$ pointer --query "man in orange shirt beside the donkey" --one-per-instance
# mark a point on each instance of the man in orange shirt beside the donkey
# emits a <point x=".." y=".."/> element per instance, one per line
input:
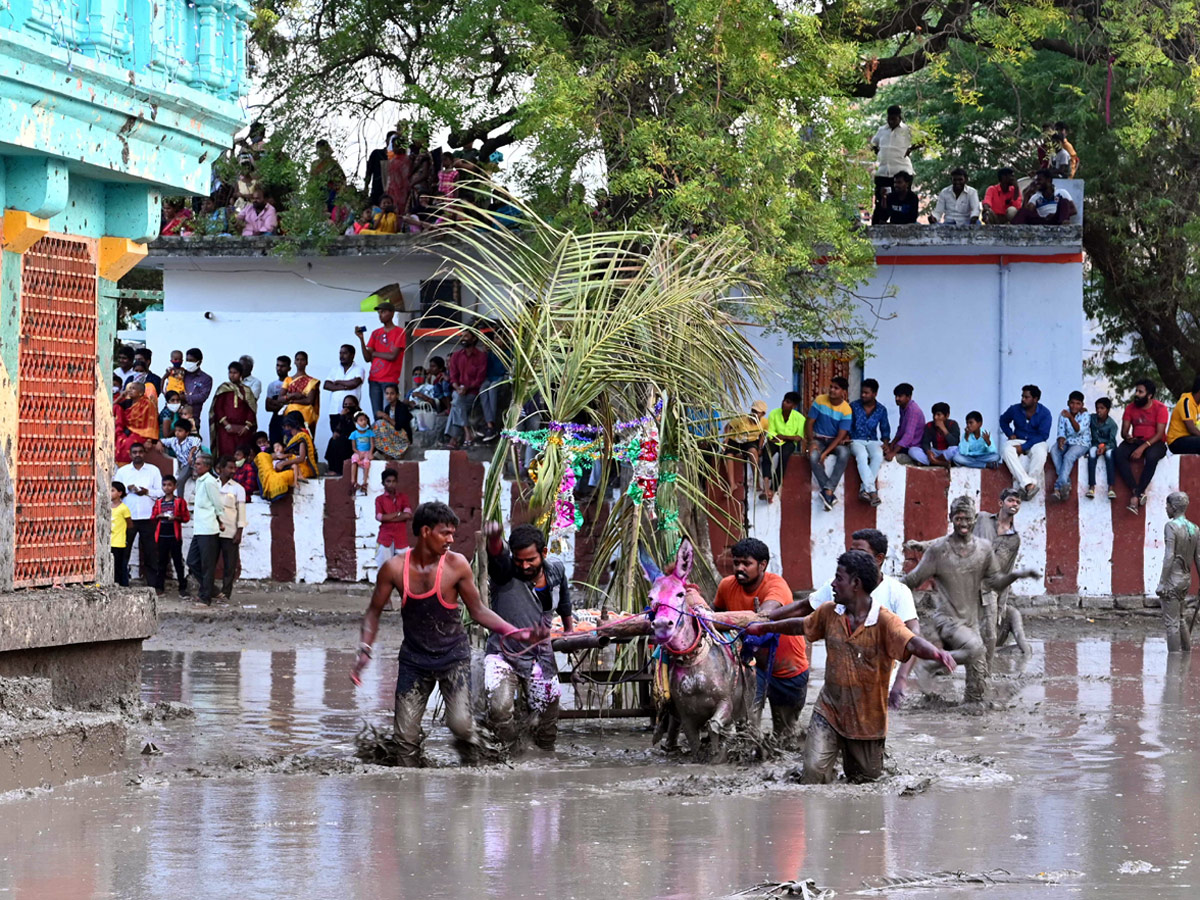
<point x="783" y="669"/>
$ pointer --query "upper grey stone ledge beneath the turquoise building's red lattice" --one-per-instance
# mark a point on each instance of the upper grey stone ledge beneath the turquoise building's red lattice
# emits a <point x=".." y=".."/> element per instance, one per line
<point x="45" y="619"/>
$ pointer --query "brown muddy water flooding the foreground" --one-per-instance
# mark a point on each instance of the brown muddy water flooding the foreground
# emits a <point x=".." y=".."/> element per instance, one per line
<point x="1089" y="765"/>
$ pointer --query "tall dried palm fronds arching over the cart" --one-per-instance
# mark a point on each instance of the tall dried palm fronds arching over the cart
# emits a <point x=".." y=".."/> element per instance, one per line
<point x="601" y="327"/>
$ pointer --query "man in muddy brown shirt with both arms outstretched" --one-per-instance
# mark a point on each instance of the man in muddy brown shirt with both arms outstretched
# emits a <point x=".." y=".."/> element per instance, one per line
<point x="862" y="641"/>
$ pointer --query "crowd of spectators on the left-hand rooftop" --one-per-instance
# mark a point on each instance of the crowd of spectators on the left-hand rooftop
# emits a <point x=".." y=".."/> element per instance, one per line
<point x="409" y="188"/>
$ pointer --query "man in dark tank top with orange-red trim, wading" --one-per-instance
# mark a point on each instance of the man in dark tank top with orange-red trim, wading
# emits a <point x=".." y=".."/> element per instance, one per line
<point x="431" y="580"/>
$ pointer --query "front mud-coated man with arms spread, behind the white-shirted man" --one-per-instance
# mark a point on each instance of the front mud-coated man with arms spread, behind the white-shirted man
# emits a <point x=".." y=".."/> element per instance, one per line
<point x="963" y="568"/>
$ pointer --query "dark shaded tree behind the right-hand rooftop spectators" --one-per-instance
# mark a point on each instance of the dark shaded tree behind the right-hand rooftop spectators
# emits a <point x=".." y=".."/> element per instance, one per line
<point x="1143" y="196"/>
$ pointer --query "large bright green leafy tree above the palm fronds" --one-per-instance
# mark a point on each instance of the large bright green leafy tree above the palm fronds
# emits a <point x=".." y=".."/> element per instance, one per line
<point x="700" y="117"/>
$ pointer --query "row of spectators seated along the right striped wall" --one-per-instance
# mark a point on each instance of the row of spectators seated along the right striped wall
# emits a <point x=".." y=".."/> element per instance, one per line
<point x="835" y="431"/>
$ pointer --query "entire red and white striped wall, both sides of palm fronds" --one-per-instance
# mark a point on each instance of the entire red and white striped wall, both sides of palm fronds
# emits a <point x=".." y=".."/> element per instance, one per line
<point x="1084" y="548"/>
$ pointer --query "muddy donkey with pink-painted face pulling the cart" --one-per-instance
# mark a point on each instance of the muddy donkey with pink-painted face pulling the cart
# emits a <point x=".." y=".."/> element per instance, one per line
<point x="710" y="687"/>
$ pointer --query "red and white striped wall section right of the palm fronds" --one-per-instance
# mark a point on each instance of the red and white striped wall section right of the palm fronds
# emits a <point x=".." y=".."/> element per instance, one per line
<point x="1084" y="548"/>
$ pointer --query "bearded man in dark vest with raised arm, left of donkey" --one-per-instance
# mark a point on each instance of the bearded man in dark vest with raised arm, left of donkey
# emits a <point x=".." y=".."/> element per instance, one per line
<point x="527" y="589"/>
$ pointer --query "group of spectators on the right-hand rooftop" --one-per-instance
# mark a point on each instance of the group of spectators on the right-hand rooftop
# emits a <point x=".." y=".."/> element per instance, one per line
<point x="1040" y="203"/>
